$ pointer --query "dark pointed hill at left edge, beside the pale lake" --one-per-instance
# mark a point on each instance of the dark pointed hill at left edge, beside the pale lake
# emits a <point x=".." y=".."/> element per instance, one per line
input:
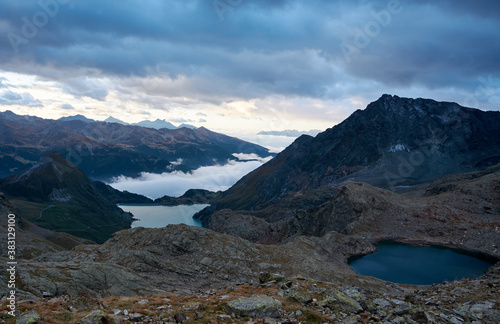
<point x="57" y="195"/>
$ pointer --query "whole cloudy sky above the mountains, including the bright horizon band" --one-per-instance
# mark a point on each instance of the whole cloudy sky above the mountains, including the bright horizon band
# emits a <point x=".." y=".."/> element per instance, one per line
<point x="241" y="66"/>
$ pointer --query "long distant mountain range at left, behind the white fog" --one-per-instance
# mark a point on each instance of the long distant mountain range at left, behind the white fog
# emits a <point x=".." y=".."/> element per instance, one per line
<point x="104" y="150"/>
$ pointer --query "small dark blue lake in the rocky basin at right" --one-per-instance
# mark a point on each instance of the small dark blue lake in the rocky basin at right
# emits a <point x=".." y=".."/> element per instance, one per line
<point x="405" y="264"/>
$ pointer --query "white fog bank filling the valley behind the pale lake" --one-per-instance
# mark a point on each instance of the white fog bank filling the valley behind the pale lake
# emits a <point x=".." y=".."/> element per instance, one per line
<point x="214" y="178"/>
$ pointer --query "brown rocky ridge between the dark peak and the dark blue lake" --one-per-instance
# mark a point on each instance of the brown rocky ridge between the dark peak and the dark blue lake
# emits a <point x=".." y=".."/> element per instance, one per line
<point x="461" y="210"/>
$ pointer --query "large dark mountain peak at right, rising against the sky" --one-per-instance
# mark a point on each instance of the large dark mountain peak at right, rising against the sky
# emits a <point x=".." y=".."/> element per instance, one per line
<point x="393" y="143"/>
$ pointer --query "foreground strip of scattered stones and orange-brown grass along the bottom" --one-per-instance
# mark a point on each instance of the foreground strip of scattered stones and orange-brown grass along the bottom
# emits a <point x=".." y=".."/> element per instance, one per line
<point x="277" y="299"/>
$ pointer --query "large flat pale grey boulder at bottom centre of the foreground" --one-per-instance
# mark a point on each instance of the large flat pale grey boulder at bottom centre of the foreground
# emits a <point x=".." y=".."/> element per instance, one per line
<point x="255" y="306"/>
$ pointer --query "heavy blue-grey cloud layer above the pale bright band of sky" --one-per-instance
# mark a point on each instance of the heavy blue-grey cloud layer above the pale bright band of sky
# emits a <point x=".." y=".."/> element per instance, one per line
<point x="293" y="48"/>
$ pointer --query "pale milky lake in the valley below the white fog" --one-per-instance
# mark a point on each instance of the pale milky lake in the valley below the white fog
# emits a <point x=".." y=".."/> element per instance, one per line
<point x="155" y="216"/>
